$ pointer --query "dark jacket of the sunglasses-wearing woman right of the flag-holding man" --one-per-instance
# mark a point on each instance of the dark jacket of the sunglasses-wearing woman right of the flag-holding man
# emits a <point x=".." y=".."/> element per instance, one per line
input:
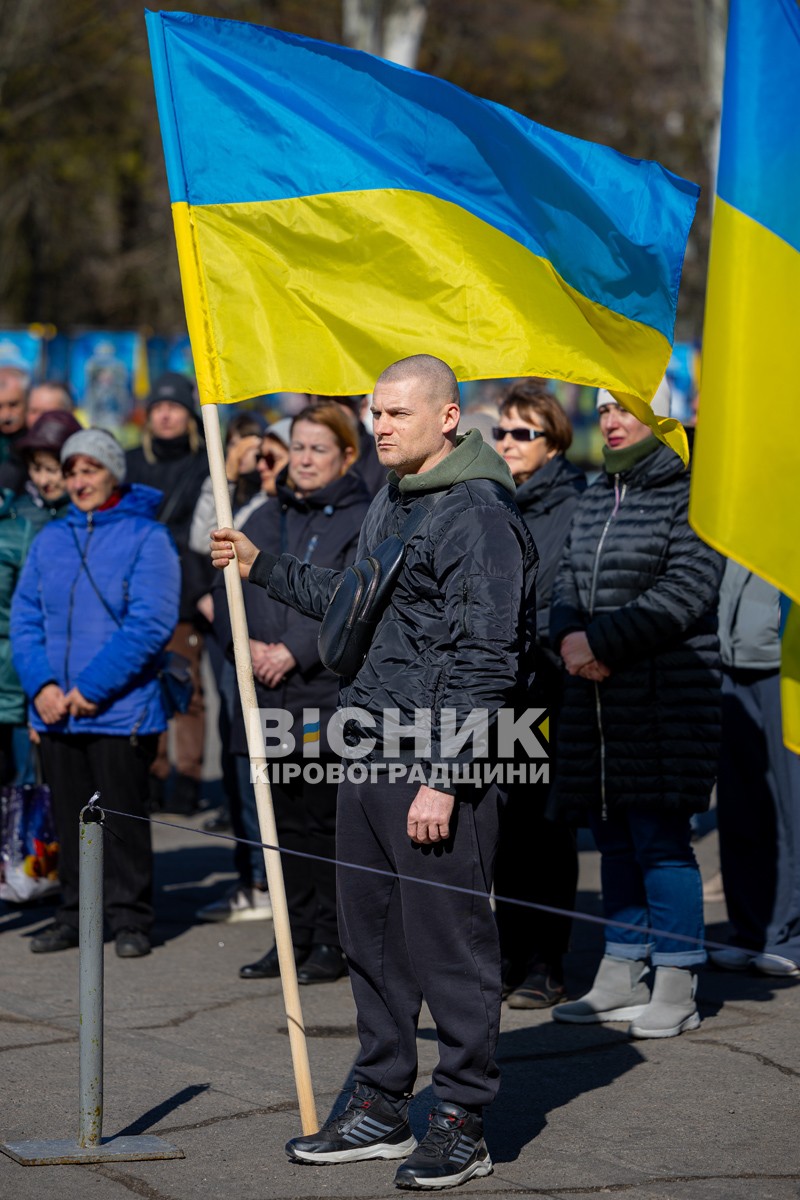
<point x="548" y="502"/>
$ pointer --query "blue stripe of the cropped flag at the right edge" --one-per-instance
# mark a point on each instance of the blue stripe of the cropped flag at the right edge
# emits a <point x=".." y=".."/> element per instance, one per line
<point x="760" y="155"/>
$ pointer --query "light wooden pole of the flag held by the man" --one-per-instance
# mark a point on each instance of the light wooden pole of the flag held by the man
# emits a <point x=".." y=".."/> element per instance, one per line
<point x="257" y="752"/>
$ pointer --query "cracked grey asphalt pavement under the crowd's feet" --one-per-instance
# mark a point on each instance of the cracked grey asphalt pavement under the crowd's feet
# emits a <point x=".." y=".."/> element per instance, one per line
<point x="201" y="1059"/>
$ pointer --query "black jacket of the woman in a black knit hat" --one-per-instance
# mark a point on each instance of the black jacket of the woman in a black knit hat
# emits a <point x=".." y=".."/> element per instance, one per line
<point x="179" y="475"/>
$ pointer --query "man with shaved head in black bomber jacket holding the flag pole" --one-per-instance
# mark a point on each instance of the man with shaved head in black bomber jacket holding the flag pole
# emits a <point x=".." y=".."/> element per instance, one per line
<point x="459" y="625"/>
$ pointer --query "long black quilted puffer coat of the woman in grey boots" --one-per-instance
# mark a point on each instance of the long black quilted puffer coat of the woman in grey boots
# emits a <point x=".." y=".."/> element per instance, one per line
<point x="645" y="589"/>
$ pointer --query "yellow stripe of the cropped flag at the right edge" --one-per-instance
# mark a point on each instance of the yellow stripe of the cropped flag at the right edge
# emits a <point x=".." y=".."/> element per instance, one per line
<point x="747" y="479"/>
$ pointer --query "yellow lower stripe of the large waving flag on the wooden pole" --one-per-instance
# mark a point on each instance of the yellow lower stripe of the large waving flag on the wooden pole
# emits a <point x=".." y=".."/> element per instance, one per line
<point x="308" y="295"/>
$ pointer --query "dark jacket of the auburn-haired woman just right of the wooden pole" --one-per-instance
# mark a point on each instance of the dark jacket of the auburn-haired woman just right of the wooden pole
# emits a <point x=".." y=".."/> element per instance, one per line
<point x="322" y="530"/>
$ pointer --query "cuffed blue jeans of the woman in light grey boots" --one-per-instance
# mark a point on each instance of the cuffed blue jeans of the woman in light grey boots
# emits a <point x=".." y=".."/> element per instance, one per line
<point x="651" y="879"/>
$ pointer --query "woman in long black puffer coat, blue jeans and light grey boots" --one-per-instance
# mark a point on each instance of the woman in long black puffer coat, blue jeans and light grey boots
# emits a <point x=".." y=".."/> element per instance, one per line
<point x="635" y="617"/>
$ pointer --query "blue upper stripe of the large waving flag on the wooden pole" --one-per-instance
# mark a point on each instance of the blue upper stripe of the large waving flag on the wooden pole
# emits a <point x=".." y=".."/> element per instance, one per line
<point x="269" y="116"/>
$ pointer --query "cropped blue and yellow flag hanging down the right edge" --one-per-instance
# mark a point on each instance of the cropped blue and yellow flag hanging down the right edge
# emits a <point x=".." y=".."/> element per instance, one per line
<point x="747" y="476"/>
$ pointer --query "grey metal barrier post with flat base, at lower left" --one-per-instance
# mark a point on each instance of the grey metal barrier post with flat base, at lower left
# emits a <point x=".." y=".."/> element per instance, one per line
<point x="91" y="1147"/>
